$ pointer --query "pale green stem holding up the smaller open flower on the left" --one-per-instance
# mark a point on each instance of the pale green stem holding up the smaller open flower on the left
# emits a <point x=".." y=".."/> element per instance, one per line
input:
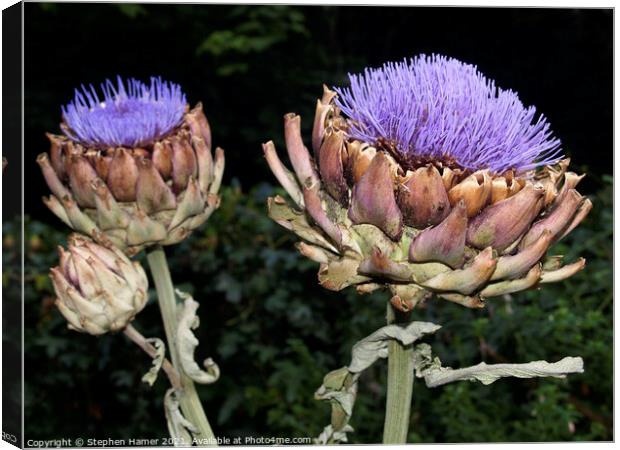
<point x="190" y="403"/>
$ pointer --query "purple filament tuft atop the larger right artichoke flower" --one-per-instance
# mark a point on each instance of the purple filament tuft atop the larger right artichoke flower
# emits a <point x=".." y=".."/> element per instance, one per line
<point x="438" y="108"/>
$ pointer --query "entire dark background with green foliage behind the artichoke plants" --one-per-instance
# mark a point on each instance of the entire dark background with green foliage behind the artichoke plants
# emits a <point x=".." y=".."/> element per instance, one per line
<point x="272" y="329"/>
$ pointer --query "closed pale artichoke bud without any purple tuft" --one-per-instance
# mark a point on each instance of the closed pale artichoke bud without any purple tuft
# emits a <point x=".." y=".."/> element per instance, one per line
<point x="99" y="289"/>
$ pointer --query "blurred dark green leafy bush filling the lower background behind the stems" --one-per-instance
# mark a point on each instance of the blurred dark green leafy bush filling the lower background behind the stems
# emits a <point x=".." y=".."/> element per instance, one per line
<point x="275" y="333"/>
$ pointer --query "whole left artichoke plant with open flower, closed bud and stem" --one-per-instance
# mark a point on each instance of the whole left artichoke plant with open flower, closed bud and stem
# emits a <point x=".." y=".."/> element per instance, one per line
<point x="134" y="170"/>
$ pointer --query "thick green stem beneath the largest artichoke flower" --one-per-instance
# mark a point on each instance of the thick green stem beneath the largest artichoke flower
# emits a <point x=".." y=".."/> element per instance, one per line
<point x="400" y="386"/>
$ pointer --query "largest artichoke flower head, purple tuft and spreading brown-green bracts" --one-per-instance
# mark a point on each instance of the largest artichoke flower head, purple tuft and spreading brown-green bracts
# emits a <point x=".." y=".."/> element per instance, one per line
<point x="427" y="178"/>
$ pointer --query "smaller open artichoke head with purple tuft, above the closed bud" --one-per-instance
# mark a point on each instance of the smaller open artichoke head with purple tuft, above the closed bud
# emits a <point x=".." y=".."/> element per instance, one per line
<point x="133" y="168"/>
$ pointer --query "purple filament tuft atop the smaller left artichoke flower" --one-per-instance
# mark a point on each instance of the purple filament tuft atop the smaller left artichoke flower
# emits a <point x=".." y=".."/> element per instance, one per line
<point x="130" y="114"/>
